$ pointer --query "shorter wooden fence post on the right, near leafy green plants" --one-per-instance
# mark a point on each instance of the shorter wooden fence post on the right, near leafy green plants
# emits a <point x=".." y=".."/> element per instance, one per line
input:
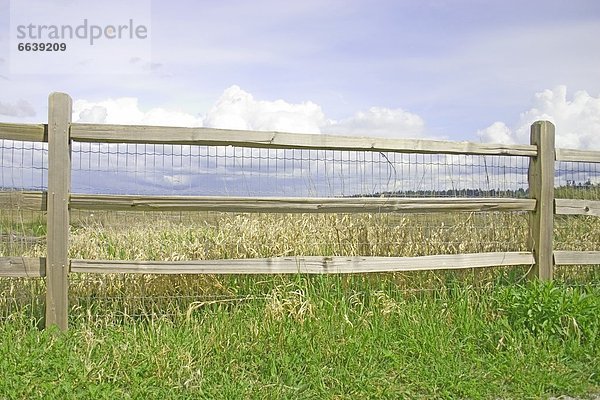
<point x="541" y="188"/>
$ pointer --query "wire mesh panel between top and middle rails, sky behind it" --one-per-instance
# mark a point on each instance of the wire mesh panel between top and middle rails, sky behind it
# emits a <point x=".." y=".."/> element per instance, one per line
<point x="237" y="171"/>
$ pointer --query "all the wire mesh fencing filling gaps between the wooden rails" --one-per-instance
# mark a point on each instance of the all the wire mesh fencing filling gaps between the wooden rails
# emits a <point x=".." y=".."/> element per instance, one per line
<point x="227" y="171"/>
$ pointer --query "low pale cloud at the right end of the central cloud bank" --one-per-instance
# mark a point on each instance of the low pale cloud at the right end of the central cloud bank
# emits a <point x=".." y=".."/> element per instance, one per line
<point x="381" y="122"/>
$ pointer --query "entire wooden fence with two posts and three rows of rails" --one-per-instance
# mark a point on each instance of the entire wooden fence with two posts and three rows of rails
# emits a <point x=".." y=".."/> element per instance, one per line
<point x="58" y="201"/>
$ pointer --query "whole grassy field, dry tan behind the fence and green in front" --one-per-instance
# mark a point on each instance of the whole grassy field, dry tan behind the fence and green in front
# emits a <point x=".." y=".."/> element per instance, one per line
<point x="483" y="333"/>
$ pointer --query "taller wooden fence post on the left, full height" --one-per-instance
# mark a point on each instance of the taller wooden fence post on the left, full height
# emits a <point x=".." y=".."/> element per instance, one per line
<point x="59" y="187"/>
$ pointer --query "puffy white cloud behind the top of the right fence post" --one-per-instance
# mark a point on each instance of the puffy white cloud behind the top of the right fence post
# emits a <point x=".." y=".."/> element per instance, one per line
<point x="577" y="120"/>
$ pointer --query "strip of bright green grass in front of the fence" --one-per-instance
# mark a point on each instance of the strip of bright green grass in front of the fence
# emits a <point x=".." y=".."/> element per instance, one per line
<point x="314" y="338"/>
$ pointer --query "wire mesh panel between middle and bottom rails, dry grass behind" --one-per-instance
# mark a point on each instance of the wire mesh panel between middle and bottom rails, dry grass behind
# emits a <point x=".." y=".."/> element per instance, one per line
<point x="210" y="235"/>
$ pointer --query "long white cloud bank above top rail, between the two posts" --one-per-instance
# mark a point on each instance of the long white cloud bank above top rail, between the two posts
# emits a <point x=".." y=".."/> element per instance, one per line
<point x="238" y="109"/>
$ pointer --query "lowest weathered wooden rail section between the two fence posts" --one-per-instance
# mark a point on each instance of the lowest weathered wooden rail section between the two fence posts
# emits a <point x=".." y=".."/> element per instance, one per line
<point x="306" y="265"/>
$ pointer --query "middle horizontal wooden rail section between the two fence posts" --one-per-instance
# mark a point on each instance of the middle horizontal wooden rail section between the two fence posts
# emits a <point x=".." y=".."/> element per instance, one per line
<point x="297" y="205"/>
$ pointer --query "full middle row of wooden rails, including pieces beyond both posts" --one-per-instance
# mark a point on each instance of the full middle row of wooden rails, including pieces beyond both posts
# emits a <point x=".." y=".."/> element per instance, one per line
<point x="29" y="200"/>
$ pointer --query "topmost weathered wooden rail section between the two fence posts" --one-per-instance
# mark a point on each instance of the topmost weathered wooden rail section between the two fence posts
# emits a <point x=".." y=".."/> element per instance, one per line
<point x="225" y="137"/>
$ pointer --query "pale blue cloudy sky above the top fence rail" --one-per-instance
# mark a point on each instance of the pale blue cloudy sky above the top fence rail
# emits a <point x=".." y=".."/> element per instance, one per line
<point x="459" y="70"/>
